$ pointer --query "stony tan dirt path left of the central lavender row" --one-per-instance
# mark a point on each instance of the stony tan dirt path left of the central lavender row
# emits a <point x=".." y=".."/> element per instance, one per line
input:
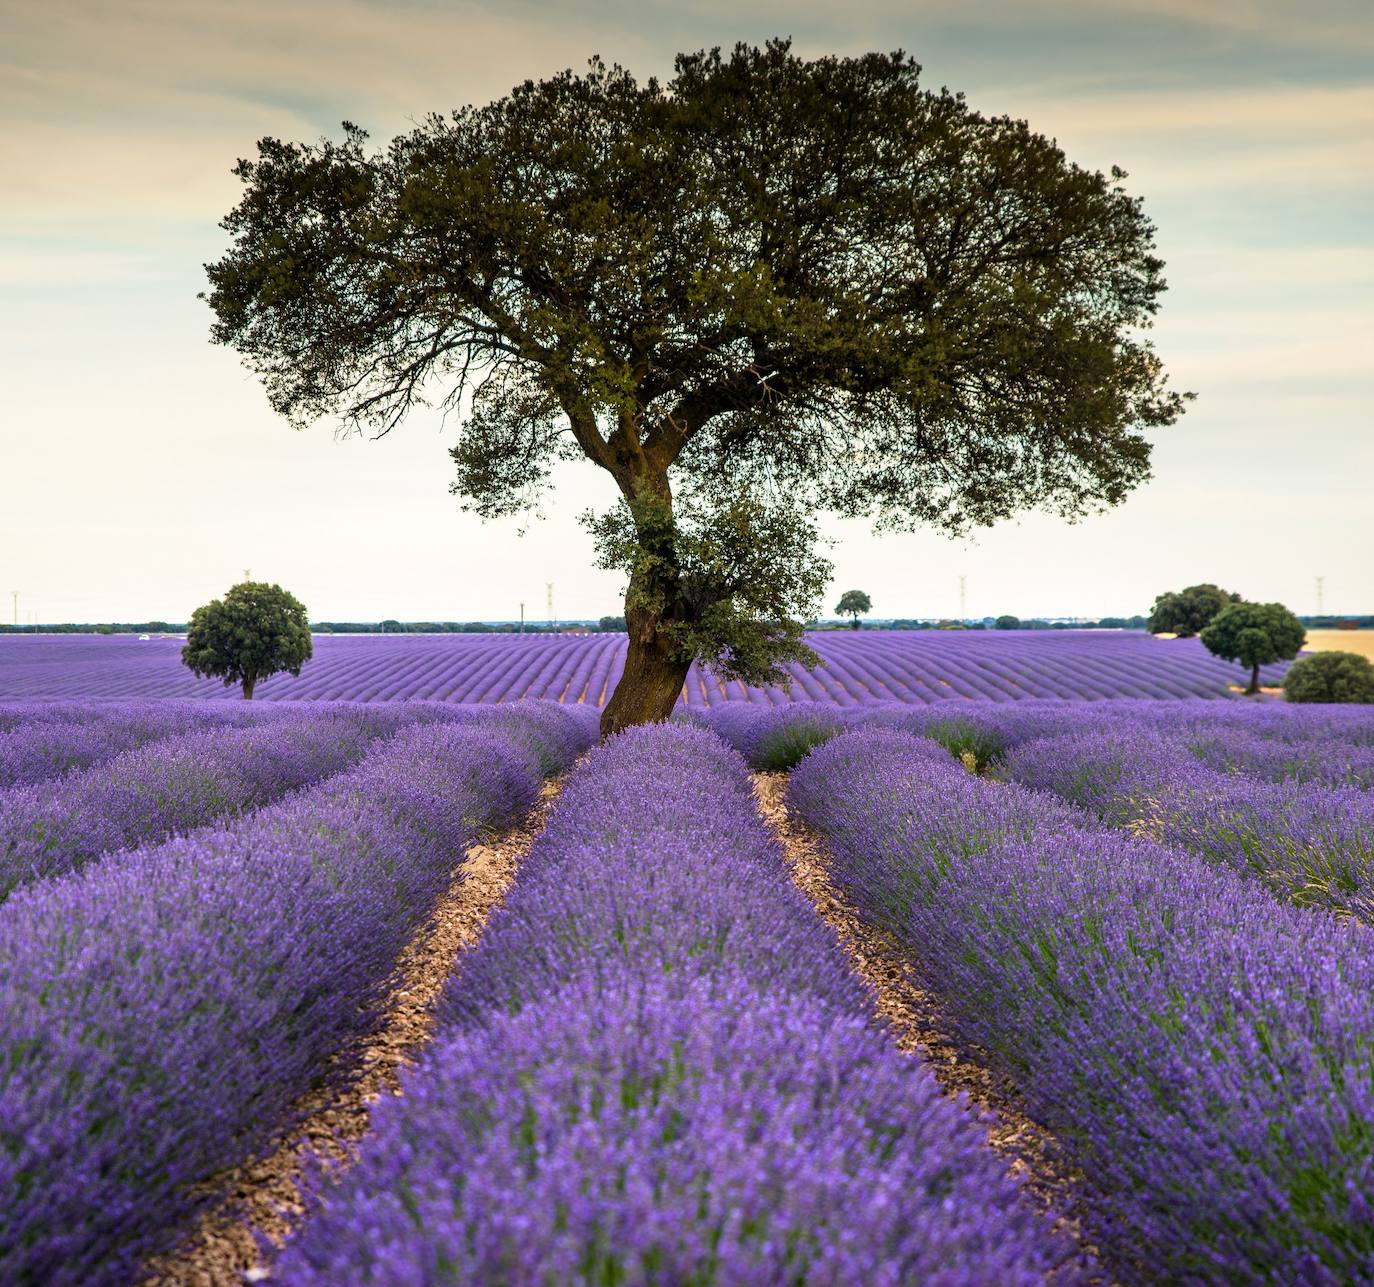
<point x="264" y="1194"/>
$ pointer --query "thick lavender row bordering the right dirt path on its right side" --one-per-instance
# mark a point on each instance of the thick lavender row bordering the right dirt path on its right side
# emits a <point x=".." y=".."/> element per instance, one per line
<point x="1204" y="1054"/>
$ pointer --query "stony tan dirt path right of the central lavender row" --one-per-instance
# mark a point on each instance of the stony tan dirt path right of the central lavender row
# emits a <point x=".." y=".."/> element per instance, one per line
<point x="920" y="1027"/>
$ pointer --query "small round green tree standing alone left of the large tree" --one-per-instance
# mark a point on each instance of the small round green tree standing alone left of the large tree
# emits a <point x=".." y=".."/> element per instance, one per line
<point x="255" y="631"/>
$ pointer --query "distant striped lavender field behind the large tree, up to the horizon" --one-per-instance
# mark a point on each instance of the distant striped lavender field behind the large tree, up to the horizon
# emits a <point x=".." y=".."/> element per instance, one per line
<point x="917" y="667"/>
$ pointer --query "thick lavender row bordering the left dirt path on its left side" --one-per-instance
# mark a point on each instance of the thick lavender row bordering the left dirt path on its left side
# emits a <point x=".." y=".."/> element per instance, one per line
<point x="164" y="1010"/>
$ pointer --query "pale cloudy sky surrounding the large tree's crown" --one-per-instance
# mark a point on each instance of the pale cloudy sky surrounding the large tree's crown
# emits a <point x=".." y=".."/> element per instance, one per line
<point x="142" y="470"/>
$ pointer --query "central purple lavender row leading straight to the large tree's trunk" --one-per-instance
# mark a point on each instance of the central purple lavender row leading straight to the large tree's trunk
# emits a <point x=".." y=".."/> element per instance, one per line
<point x="657" y="1069"/>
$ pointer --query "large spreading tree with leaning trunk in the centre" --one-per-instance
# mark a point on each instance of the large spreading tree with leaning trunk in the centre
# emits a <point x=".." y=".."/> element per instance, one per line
<point x="765" y="289"/>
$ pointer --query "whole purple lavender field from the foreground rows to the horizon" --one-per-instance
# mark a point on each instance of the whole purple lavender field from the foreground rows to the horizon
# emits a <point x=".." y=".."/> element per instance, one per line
<point x="1148" y="926"/>
